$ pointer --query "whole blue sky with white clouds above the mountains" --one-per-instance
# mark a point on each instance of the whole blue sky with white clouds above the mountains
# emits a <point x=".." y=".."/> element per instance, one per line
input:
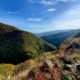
<point x="41" y="15"/>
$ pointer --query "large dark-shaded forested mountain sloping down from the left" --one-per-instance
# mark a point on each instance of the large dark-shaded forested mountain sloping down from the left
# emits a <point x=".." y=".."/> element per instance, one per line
<point x="17" y="45"/>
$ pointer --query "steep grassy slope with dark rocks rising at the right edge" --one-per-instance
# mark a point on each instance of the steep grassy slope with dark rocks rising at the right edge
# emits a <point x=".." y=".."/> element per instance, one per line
<point x="71" y="45"/>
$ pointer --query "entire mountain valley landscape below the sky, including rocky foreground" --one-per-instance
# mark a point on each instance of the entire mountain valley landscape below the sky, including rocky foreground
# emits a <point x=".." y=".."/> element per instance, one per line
<point x="24" y="56"/>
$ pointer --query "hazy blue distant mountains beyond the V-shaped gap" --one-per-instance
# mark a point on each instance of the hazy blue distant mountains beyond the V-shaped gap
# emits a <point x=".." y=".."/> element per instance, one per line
<point x="57" y="39"/>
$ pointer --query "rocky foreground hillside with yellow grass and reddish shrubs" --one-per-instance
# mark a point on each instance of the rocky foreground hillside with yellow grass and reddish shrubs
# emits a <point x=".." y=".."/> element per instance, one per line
<point x="64" y="65"/>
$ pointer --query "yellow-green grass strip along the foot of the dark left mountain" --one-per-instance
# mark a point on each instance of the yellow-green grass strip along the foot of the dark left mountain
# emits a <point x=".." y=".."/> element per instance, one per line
<point x="21" y="70"/>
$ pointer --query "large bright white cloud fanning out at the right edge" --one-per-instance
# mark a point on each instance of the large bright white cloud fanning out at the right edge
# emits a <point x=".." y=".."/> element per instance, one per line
<point x="68" y="20"/>
